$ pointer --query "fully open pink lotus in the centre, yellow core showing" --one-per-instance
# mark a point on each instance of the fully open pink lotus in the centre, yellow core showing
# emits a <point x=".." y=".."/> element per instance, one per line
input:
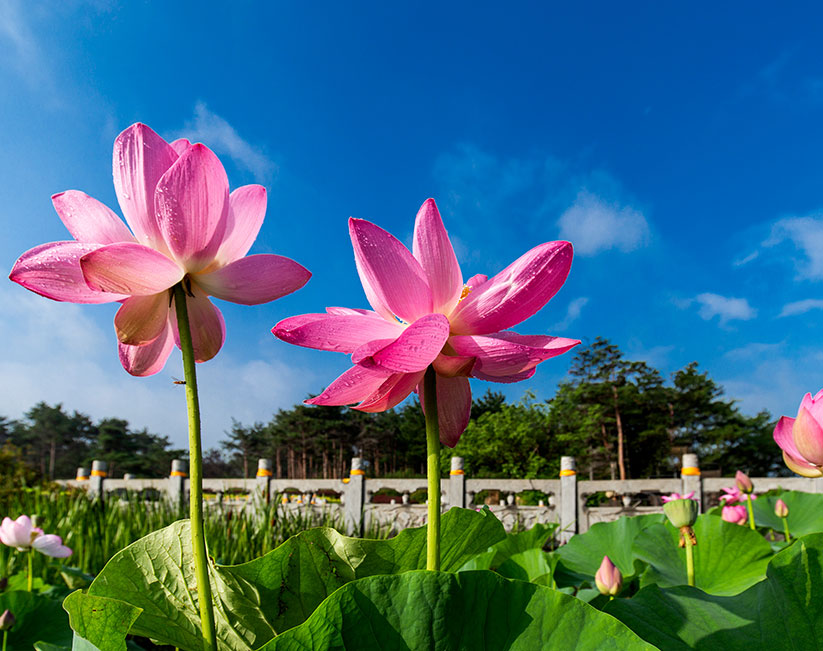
<point x="424" y="315"/>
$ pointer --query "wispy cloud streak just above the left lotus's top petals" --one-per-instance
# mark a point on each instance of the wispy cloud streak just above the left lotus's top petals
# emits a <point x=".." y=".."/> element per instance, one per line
<point x="220" y="136"/>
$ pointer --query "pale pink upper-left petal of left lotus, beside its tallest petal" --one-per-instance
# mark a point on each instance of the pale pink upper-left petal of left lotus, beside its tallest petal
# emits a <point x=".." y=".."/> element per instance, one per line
<point x="88" y="220"/>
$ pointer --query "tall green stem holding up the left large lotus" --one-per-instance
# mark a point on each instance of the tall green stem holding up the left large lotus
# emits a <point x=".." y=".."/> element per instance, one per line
<point x="198" y="537"/>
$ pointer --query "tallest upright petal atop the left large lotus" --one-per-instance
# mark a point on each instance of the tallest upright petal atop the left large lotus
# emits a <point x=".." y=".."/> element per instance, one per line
<point x="141" y="157"/>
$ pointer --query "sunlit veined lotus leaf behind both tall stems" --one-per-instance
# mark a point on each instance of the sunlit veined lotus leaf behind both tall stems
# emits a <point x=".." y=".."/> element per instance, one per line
<point x="268" y="595"/>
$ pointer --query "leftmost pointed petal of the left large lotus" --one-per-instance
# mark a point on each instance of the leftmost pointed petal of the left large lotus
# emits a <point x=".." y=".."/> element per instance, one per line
<point x="53" y="270"/>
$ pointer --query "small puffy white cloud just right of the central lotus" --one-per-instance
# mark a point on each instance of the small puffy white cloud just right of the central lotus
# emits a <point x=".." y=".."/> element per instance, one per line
<point x="593" y="225"/>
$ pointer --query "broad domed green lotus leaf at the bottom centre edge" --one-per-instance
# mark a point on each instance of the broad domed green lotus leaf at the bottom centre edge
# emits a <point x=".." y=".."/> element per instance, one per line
<point x="439" y="611"/>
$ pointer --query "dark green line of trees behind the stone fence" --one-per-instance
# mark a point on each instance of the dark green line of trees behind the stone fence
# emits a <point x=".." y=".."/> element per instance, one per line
<point x="618" y="417"/>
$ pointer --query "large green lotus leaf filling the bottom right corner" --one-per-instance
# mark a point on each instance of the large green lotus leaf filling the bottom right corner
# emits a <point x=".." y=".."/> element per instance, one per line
<point x="785" y="611"/>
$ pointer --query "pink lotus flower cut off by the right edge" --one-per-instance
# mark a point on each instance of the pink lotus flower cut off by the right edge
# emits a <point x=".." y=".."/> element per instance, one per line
<point x="801" y="438"/>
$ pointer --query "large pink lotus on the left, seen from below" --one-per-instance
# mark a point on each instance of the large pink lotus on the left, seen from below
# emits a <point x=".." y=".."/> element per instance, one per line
<point x="186" y="227"/>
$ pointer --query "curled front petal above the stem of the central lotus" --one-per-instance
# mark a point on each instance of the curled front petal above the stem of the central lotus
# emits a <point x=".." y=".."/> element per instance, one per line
<point x="413" y="350"/>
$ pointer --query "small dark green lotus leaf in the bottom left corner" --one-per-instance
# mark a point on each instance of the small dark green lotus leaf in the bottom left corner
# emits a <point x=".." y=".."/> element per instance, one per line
<point x="38" y="619"/>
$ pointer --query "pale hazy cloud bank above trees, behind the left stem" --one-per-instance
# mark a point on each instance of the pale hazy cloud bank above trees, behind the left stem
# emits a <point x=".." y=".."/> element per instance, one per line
<point x="58" y="353"/>
